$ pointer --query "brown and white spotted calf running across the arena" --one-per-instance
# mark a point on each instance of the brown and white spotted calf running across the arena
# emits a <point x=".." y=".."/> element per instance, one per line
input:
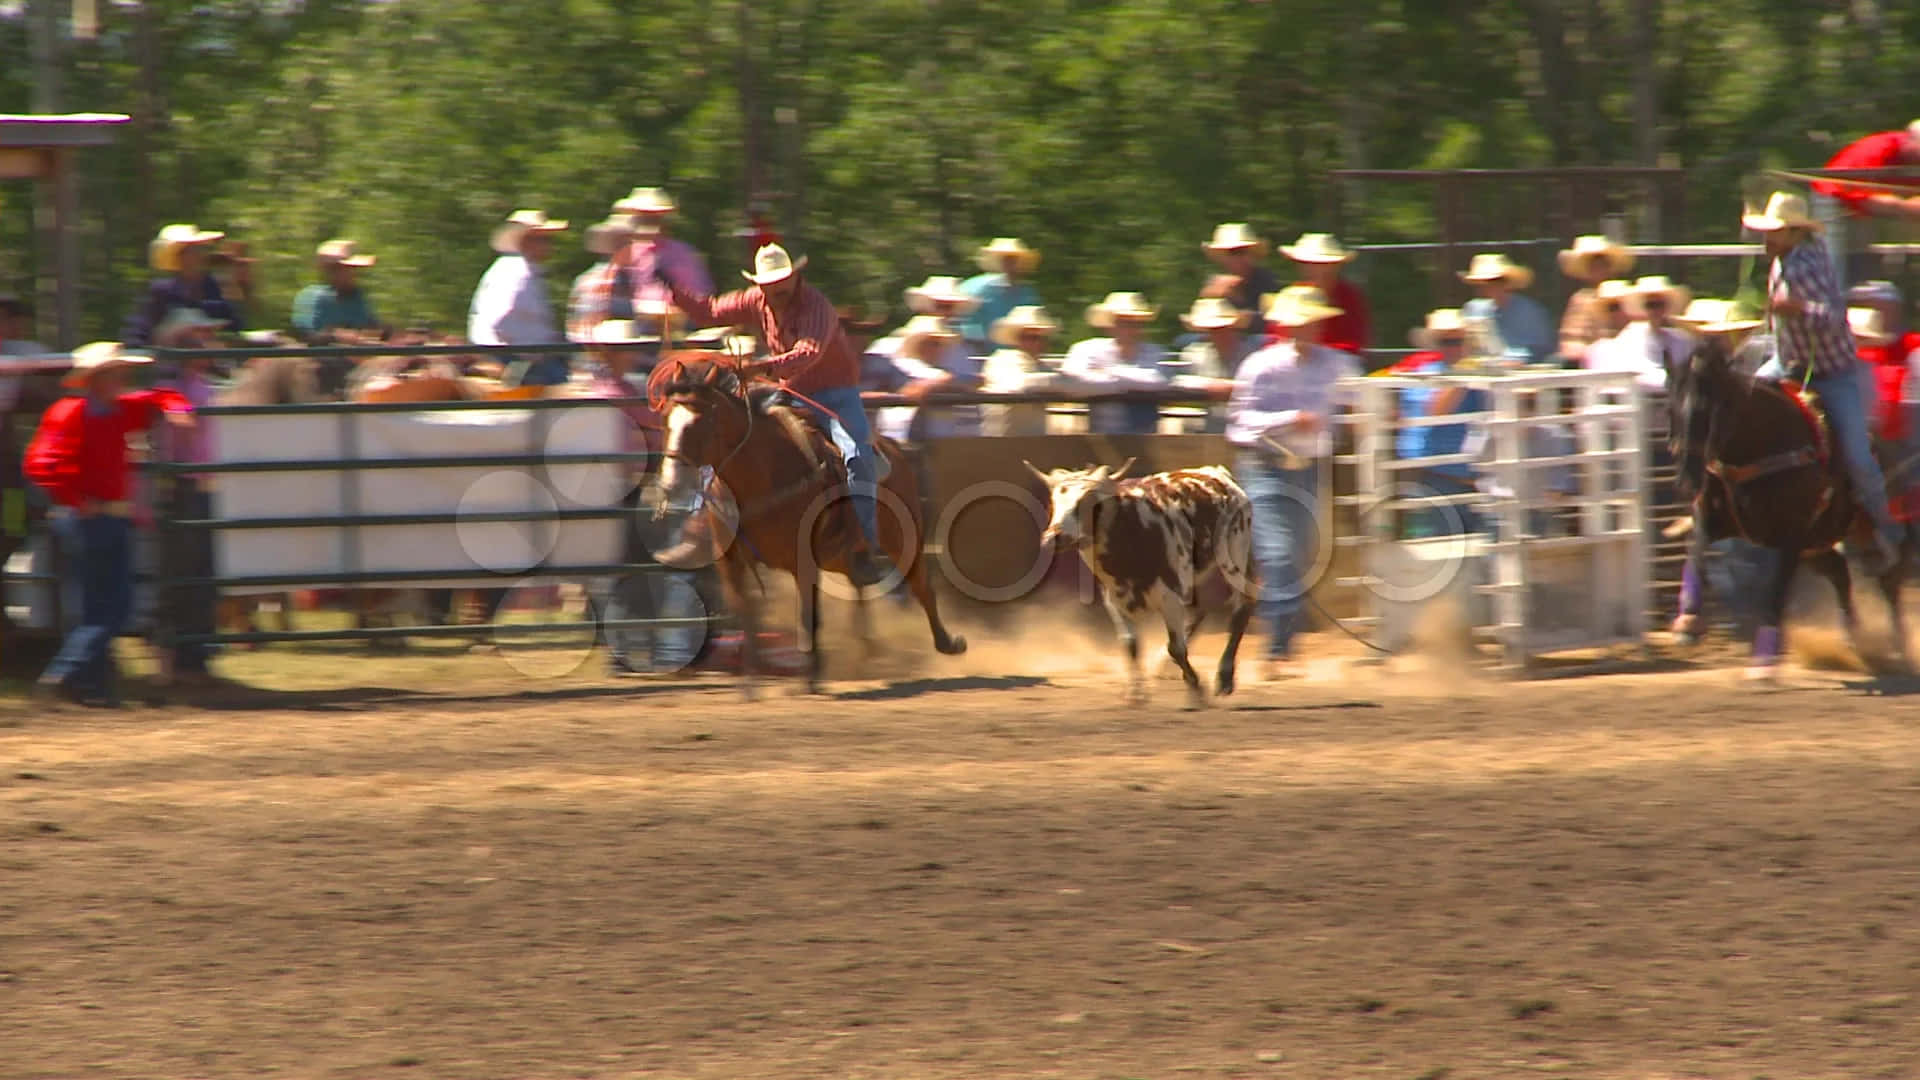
<point x="1151" y="543"/>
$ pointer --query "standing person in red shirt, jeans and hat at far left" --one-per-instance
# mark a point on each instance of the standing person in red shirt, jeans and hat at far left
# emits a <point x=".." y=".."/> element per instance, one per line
<point x="80" y="458"/>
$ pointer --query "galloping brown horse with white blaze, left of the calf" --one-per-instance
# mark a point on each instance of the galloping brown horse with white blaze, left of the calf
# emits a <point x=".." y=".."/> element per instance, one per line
<point x="790" y="493"/>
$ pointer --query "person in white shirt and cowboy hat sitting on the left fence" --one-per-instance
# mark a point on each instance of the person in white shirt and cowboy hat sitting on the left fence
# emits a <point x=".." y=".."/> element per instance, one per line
<point x="512" y="307"/>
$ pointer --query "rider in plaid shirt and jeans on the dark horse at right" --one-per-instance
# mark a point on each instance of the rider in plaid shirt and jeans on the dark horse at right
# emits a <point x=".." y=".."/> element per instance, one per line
<point x="1817" y="349"/>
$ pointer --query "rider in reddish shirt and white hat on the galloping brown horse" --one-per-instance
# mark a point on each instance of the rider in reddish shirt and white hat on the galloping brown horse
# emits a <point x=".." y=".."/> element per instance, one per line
<point x="809" y="353"/>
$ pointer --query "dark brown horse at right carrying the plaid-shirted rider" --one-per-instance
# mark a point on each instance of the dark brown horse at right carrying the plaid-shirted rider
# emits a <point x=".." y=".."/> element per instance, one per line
<point x="1756" y="468"/>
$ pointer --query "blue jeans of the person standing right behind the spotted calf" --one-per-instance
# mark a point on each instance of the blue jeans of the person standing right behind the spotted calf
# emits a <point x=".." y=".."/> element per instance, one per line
<point x="1285" y="537"/>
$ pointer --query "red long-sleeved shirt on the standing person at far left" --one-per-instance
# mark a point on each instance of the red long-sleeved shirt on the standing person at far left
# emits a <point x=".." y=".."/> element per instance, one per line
<point x="80" y="454"/>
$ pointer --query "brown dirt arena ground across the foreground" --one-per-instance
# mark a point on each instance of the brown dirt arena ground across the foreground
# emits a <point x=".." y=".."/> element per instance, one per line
<point x="992" y="870"/>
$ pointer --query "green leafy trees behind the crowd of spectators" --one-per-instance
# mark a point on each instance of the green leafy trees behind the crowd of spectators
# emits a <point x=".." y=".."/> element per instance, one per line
<point x="896" y="135"/>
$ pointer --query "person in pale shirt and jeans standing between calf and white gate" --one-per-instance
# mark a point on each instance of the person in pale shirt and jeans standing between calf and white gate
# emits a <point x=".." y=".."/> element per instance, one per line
<point x="1280" y="426"/>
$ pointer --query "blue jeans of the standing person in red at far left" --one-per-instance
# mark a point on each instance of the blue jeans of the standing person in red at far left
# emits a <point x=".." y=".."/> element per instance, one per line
<point x="99" y="566"/>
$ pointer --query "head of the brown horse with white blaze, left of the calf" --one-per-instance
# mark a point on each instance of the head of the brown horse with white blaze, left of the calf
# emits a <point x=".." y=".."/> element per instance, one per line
<point x="704" y="405"/>
